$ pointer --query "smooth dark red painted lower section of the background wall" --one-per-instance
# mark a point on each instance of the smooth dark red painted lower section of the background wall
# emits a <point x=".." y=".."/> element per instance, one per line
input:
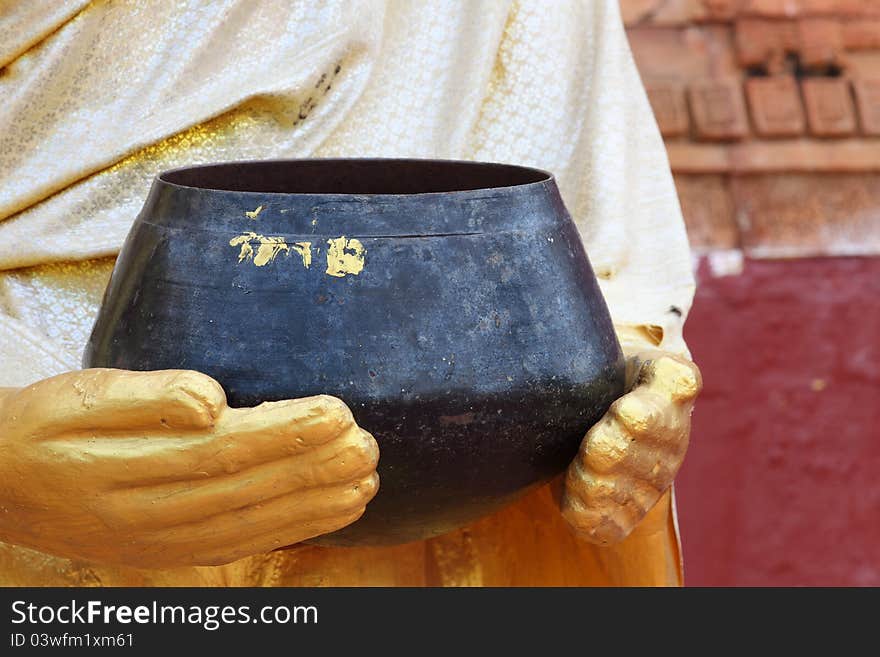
<point x="782" y="481"/>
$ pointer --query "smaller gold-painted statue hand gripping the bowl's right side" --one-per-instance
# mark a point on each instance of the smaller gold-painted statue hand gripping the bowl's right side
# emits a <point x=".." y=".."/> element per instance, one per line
<point x="630" y="457"/>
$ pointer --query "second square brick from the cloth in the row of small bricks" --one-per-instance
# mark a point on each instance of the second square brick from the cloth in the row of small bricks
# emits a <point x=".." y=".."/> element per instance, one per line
<point x="718" y="109"/>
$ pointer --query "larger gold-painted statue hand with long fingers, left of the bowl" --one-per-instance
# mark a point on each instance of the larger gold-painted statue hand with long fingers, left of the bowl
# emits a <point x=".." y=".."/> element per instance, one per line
<point x="153" y="469"/>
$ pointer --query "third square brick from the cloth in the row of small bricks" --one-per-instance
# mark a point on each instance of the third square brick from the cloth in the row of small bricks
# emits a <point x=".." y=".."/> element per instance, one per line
<point x="775" y="104"/>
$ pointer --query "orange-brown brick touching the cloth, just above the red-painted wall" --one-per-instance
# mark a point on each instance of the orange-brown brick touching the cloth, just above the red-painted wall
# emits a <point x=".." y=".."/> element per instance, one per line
<point x="708" y="211"/>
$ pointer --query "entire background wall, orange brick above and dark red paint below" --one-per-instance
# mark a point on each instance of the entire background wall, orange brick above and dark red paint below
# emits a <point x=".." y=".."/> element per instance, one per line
<point x="771" y="114"/>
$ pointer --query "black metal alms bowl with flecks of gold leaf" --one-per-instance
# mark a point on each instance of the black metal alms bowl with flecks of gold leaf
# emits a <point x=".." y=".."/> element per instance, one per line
<point x="450" y="304"/>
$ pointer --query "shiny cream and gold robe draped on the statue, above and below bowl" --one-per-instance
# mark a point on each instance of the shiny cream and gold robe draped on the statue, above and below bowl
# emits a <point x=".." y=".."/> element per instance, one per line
<point x="98" y="97"/>
